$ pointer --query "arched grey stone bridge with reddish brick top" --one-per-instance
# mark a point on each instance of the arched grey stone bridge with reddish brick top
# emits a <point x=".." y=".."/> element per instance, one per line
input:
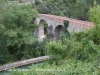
<point x="55" y="23"/>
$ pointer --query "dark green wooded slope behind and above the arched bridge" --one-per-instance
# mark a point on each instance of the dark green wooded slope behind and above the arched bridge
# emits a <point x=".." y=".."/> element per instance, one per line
<point x="70" y="8"/>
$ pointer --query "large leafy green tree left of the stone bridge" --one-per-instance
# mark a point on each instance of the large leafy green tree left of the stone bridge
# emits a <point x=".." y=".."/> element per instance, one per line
<point x="17" y="26"/>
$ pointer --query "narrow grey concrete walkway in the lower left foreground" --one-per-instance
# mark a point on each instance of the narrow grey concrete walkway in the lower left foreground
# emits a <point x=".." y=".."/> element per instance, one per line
<point x="23" y="62"/>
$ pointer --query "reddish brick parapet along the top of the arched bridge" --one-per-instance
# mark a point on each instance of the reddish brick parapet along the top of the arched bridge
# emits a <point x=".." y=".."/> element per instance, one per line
<point x="80" y="23"/>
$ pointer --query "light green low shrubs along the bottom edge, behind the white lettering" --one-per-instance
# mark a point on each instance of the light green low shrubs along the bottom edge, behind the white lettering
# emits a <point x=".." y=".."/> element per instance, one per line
<point x="69" y="67"/>
